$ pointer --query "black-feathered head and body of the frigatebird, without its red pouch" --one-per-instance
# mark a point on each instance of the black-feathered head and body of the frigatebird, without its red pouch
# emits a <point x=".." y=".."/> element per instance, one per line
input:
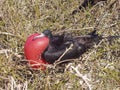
<point x="59" y="43"/>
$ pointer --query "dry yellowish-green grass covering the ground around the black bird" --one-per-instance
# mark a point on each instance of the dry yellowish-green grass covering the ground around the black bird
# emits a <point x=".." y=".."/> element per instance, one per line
<point x="97" y="69"/>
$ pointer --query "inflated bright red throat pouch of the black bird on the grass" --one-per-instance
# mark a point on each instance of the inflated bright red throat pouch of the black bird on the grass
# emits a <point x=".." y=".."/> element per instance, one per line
<point x="33" y="49"/>
